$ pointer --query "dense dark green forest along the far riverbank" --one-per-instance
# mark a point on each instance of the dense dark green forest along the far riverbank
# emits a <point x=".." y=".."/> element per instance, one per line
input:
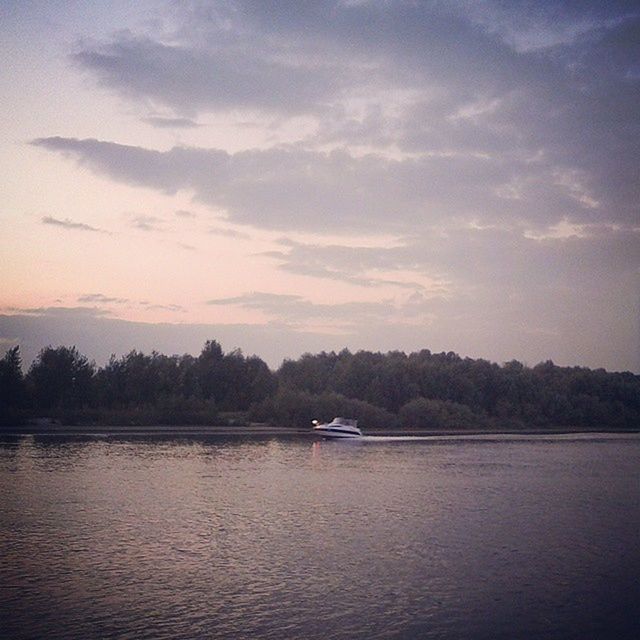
<point x="421" y="390"/>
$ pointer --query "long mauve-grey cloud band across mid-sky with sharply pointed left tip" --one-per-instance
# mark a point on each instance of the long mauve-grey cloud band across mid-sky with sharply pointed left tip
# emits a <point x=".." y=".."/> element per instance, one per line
<point x="296" y="189"/>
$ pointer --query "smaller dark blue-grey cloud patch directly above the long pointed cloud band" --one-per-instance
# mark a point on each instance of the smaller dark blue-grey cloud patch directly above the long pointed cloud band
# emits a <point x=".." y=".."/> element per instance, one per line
<point x="189" y="79"/>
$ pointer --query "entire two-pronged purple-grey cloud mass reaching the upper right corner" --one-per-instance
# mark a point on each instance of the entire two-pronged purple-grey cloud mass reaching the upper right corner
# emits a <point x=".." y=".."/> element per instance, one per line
<point x="422" y="111"/>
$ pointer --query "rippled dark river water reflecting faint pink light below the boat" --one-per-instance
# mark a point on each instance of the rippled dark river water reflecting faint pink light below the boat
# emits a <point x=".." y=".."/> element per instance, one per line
<point x="494" y="537"/>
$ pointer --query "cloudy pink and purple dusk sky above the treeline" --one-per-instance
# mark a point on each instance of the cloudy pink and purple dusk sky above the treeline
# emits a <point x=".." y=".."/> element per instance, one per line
<point x="297" y="176"/>
